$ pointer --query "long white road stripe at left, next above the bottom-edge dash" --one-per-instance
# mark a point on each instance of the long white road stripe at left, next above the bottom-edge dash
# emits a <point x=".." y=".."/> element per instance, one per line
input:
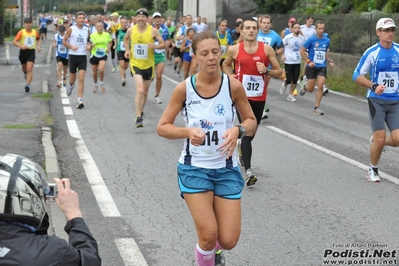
<point x="103" y="196"/>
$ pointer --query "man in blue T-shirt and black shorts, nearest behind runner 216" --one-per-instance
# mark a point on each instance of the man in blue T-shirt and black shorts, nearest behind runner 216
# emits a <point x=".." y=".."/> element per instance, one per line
<point x="315" y="53"/>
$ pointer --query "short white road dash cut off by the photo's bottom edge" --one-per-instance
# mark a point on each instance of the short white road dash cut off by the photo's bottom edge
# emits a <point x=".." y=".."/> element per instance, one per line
<point x="130" y="252"/>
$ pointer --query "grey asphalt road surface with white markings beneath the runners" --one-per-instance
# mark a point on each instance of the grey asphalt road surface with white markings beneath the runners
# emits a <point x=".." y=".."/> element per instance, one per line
<point x="311" y="199"/>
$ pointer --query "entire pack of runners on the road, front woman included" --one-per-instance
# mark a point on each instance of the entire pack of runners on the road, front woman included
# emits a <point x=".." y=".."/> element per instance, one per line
<point x="220" y="69"/>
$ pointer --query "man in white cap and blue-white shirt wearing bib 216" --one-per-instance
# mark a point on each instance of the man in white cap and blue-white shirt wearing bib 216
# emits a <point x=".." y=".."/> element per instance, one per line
<point x="381" y="62"/>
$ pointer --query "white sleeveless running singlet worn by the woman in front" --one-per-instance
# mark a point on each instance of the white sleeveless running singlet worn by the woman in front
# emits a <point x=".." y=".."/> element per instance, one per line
<point x="213" y="115"/>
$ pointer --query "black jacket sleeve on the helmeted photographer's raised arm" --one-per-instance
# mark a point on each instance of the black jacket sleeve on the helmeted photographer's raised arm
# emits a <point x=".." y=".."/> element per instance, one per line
<point x="82" y="248"/>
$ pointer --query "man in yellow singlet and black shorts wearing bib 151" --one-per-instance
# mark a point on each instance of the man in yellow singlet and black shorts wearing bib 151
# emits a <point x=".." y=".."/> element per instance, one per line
<point x="140" y="38"/>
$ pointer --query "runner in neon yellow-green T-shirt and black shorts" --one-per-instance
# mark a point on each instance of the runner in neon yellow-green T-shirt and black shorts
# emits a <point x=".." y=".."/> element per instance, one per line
<point x="101" y="42"/>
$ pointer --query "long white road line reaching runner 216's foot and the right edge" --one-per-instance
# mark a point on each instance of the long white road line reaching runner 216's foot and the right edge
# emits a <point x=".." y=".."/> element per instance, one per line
<point x="333" y="154"/>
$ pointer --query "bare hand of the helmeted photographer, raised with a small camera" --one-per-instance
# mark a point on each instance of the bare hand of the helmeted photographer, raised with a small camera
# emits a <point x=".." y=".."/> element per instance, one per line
<point x="67" y="199"/>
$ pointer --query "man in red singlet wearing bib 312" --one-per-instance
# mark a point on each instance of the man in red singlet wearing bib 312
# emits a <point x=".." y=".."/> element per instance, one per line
<point x="251" y="59"/>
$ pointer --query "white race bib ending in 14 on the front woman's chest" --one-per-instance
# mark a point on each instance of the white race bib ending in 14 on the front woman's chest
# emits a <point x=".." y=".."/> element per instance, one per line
<point x="214" y="128"/>
